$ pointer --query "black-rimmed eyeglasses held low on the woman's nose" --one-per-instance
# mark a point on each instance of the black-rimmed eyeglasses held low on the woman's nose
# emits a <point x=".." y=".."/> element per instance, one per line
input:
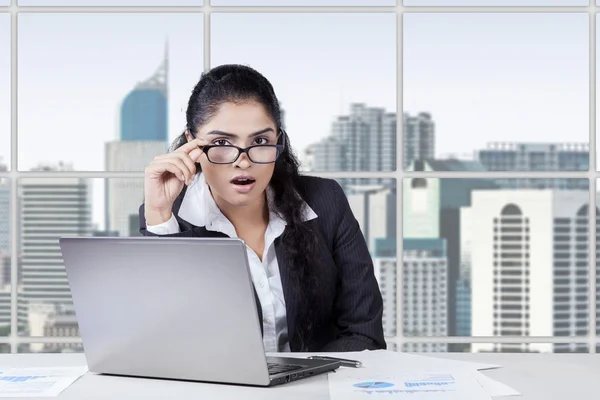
<point x="258" y="154"/>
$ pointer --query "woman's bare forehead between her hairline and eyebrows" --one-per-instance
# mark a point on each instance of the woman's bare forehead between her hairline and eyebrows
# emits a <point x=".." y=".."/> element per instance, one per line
<point x="239" y="118"/>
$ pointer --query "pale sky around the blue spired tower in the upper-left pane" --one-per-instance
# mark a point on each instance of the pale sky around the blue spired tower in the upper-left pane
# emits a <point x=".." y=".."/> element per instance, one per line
<point x="70" y="79"/>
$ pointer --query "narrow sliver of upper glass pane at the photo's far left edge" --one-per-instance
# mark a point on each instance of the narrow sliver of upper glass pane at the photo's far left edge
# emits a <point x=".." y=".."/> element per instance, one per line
<point x="5" y="105"/>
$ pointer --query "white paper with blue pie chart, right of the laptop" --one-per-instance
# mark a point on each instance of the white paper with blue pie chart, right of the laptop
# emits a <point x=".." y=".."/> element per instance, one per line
<point x="454" y="385"/>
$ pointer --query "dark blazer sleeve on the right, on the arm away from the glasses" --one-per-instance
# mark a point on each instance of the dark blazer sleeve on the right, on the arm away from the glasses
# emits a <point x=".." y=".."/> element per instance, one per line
<point x="358" y="306"/>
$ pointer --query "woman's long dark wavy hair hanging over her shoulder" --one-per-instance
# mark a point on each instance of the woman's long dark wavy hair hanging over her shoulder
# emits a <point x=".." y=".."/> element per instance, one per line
<point x="239" y="84"/>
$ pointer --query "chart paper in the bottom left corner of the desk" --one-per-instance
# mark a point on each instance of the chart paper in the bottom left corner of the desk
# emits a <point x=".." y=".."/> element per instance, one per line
<point x="38" y="382"/>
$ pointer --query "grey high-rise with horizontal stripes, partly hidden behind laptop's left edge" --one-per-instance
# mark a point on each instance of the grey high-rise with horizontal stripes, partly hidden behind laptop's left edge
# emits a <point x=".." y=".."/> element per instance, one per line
<point x="52" y="207"/>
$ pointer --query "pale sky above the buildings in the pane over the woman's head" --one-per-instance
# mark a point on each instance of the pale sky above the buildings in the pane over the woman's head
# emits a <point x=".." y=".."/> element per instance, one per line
<point x="316" y="72"/>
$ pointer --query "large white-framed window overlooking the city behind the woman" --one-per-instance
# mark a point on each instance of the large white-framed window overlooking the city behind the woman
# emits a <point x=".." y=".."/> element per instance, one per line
<point x="474" y="100"/>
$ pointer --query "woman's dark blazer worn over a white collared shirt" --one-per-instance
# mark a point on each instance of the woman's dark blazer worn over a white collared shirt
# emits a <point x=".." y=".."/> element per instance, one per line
<point x="350" y="308"/>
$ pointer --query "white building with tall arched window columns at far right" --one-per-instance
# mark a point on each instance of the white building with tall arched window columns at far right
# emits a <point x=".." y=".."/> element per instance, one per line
<point x="529" y="274"/>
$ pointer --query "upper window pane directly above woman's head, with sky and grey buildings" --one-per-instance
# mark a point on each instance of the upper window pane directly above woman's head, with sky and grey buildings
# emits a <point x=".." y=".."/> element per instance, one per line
<point x="339" y="108"/>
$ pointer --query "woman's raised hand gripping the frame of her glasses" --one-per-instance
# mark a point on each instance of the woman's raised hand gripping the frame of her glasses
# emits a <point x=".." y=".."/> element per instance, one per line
<point x="164" y="178"/>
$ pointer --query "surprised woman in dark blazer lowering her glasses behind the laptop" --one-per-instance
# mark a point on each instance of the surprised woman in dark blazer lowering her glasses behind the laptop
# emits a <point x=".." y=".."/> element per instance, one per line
<point x="232" y="173"/>
